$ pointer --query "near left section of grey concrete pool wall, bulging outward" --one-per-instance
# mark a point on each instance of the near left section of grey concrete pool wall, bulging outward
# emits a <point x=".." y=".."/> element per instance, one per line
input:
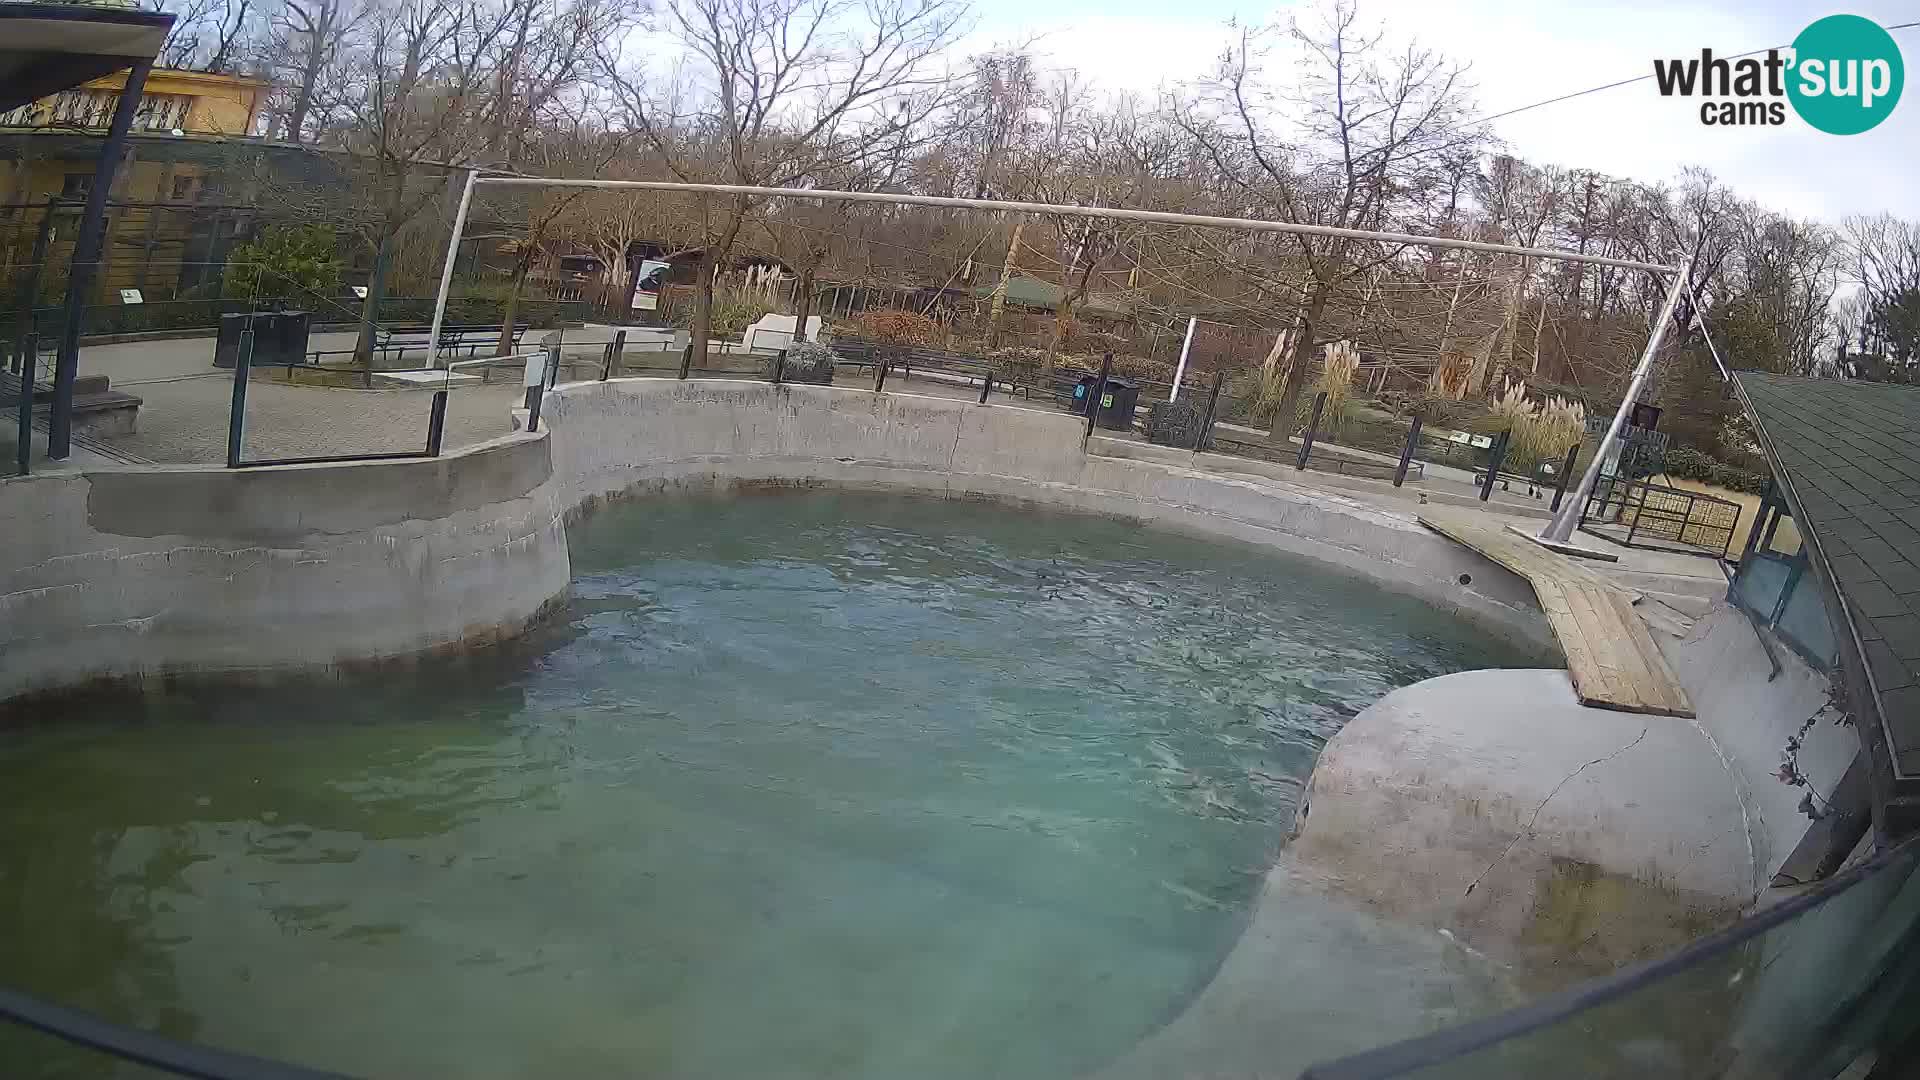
<point x="158" y="572"/>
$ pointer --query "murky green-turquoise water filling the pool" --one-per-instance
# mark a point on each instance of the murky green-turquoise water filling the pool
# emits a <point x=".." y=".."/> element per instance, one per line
<point x="798" y="785"/>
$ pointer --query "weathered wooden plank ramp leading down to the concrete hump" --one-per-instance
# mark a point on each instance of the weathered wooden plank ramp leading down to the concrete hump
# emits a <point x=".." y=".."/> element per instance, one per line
<point x="1614" y="658"/>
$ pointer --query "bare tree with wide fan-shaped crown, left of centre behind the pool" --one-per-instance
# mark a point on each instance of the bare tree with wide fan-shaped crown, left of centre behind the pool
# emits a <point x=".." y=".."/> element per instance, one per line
<point x="773" y="93"/>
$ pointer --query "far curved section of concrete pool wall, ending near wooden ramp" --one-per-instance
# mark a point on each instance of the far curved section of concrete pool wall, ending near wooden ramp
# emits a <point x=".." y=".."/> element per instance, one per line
<point x="631" y="437"/>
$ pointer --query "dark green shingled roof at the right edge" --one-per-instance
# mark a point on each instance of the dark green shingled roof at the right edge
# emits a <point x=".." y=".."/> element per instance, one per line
<point x="1852" y="460"/>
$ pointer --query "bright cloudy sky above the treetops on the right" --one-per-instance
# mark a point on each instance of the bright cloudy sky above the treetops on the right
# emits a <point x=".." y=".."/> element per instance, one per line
<point x="1525" y="53"/>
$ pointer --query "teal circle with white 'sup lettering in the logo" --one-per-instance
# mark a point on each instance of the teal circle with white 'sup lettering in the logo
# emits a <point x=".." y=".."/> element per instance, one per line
<point x="1846" y="76"/>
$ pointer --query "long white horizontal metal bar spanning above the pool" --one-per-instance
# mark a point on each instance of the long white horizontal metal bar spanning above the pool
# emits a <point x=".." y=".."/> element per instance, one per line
<point x="1107" y="212"/>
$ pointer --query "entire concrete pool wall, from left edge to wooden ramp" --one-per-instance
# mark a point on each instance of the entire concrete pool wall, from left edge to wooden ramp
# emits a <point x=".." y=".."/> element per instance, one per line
<point x="126" y="574"/>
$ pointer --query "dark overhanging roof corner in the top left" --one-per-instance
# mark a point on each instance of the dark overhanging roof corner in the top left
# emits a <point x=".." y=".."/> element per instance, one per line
<point x="51" y="47"/>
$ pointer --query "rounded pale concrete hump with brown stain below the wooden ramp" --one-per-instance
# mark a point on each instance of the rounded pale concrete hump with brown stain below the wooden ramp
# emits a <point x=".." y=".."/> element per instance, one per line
<point x="1552" y="837"/>
